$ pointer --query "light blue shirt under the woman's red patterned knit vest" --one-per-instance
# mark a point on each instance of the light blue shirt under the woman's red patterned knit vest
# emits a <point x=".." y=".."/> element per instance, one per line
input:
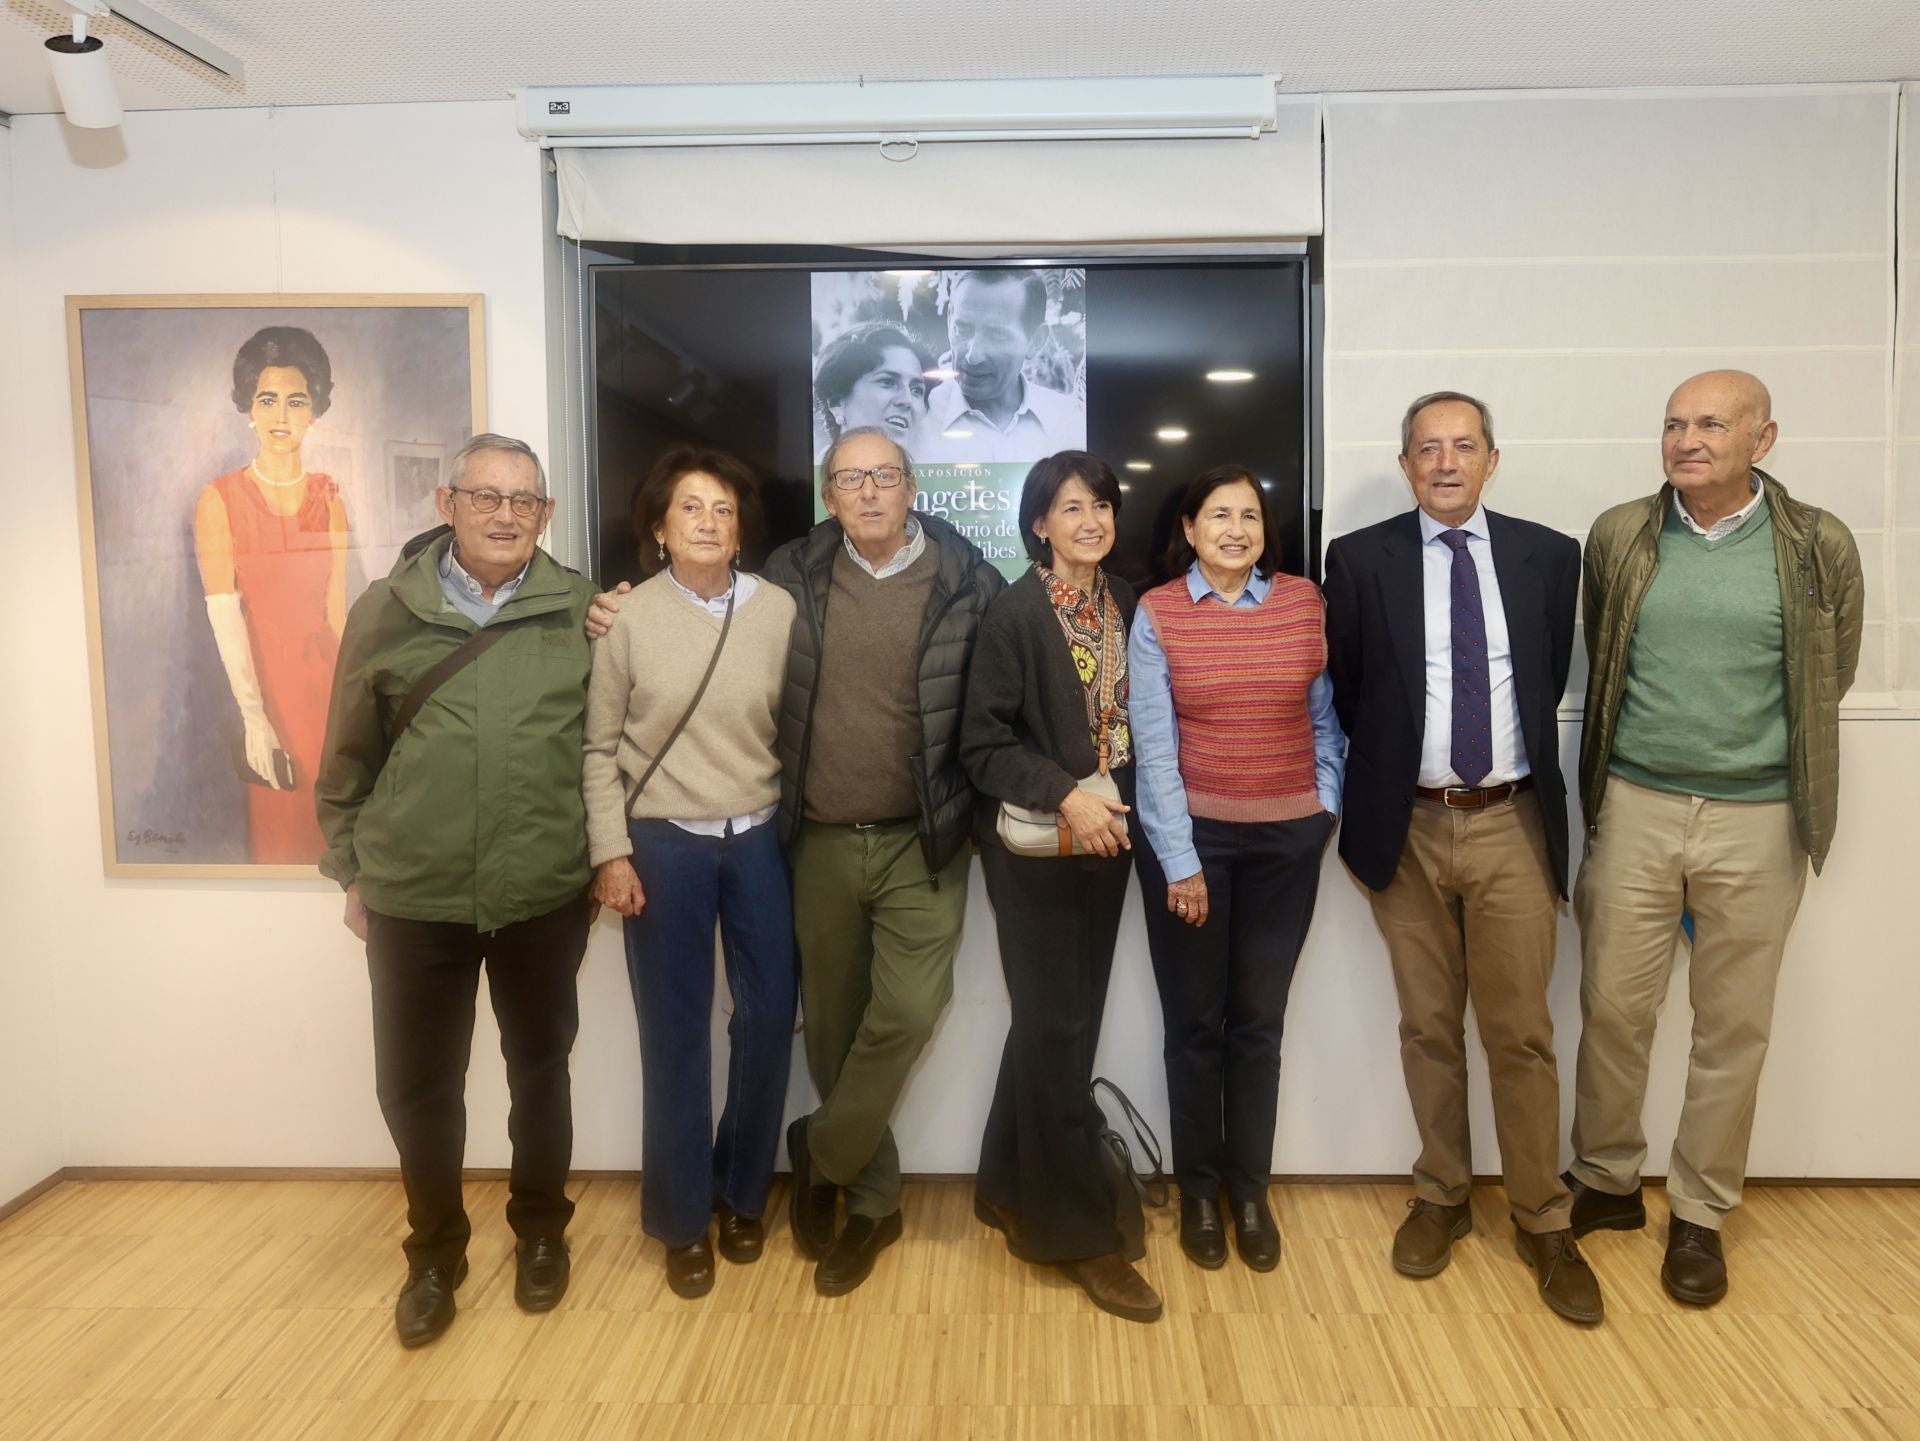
<point x="1157" y="734"/>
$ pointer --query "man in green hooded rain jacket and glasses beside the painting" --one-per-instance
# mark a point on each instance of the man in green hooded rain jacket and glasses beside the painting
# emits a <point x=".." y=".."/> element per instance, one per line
<point x="450" y="797"/>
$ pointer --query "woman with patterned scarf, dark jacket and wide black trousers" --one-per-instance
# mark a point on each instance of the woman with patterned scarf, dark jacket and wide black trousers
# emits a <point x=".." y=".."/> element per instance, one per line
<point x="1045" y="732"/>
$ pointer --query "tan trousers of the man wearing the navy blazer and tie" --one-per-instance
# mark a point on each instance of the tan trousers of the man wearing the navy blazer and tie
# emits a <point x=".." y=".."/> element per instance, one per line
<point x="1472" y="912"/>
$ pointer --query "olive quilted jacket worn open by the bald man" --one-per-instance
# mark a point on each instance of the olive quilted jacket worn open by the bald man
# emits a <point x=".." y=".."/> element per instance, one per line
<point x="1821" y="603"/>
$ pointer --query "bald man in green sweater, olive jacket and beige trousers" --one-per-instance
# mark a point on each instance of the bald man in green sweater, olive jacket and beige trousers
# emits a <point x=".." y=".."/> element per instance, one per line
<point x="1723" y="626"/>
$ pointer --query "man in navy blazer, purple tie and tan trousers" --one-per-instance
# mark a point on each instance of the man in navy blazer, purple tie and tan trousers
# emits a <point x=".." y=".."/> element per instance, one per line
<point x="1449" y="634"/>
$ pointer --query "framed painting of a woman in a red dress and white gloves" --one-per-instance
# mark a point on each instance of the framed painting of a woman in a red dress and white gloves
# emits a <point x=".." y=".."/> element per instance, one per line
<point x="247" y="465"/>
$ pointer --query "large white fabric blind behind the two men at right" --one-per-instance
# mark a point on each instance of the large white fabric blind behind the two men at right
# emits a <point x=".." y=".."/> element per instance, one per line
<point x="1572" y="258"/>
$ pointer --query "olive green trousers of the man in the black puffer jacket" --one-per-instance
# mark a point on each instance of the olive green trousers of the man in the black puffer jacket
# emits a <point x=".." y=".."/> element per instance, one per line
<point x="878" y="935"/>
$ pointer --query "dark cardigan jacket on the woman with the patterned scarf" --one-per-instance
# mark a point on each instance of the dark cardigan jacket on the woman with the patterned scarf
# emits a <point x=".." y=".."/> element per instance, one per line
<point x="1024" y="734"/>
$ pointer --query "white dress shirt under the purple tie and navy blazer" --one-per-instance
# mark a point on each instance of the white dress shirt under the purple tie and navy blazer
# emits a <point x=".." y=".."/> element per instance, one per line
<point x="1437" y="586"/>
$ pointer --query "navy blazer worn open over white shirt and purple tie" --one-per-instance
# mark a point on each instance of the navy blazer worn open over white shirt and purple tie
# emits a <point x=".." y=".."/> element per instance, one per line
<point x="1378" y="659"/>
